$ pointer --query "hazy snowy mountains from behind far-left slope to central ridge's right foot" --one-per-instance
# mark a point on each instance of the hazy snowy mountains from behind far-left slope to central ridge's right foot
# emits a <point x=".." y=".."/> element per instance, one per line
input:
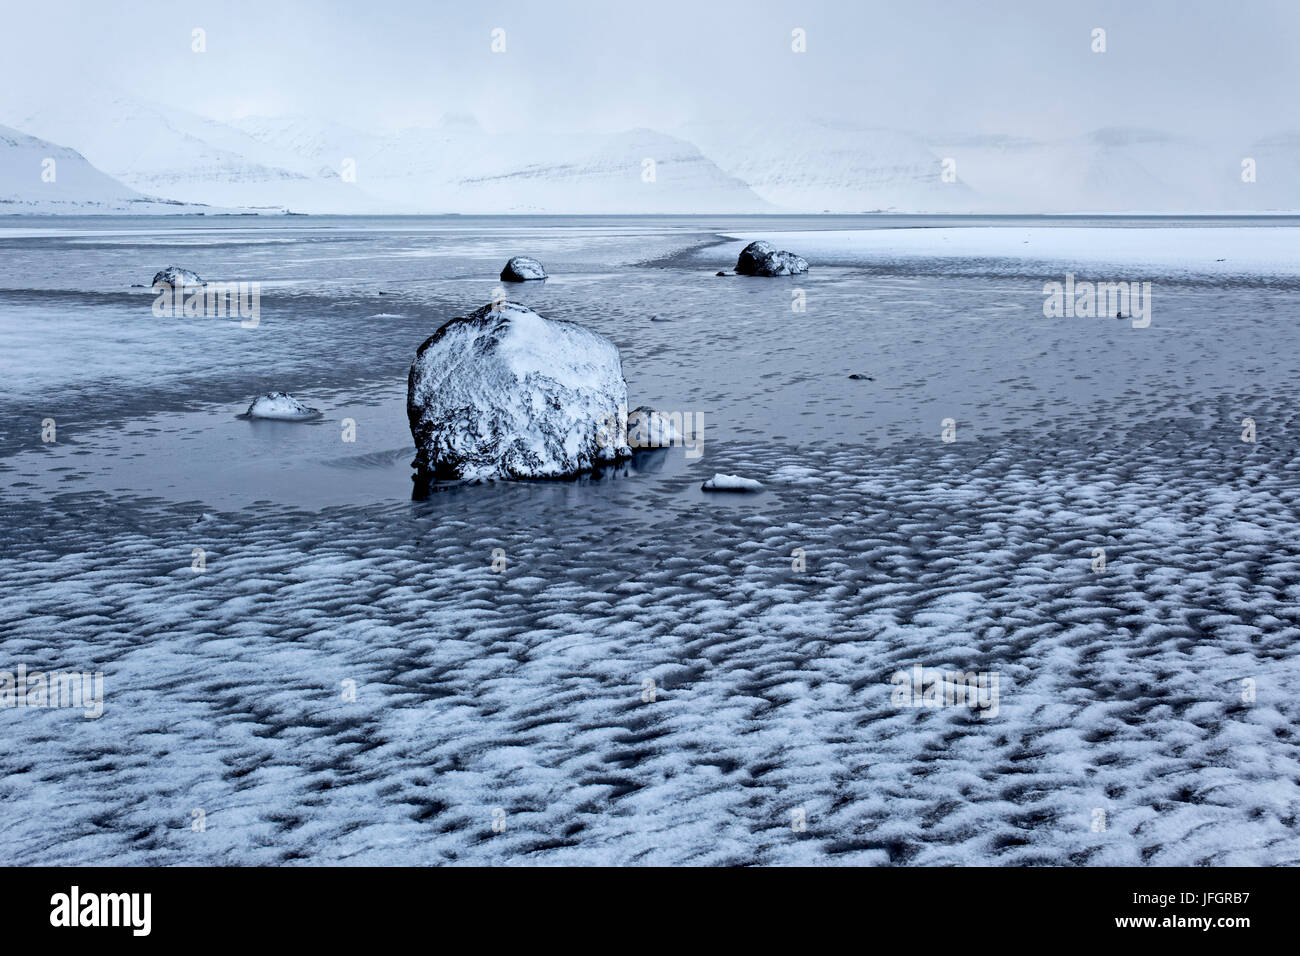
<point x="319" y="166"/>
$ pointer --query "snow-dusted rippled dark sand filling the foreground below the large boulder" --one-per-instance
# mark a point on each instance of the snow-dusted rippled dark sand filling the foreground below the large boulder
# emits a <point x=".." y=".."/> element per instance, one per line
<point x="523" y="690"/>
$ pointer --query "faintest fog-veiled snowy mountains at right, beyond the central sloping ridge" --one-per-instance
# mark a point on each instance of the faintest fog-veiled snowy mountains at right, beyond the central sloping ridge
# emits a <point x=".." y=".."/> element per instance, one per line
<point x="808" y="166"/>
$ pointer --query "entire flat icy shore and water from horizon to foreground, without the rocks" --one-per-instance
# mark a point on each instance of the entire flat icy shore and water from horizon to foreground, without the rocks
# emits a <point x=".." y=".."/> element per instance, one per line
<point x="354" y="678"/>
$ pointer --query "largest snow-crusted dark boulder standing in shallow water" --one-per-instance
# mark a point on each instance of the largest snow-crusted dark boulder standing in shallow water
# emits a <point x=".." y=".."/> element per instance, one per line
<point x="506" y="393"/>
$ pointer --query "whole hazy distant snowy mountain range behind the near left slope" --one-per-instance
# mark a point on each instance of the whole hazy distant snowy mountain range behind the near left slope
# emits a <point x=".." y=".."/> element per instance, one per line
<point x="723" y="165"/>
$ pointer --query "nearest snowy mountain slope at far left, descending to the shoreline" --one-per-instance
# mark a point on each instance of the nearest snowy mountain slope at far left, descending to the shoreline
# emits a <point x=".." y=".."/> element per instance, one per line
<point x="42" y="178"/>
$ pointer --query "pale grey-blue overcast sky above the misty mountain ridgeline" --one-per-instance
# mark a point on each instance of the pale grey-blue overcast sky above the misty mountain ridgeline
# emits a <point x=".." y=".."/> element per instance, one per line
<point x="1228" y="68"/>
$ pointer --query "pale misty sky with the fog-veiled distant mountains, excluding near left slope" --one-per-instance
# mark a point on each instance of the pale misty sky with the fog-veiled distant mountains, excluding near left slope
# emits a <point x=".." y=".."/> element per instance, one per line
<point x="751" y="107"/>
